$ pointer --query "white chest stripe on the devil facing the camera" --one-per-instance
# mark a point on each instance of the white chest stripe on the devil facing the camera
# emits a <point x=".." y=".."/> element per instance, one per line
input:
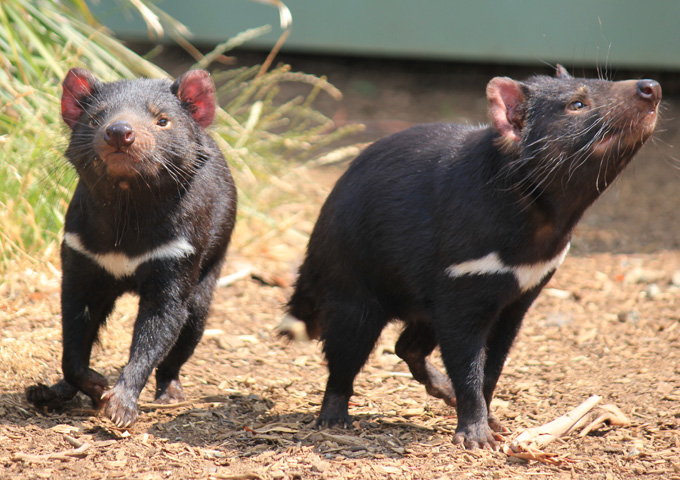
<point x="120" y="265"/>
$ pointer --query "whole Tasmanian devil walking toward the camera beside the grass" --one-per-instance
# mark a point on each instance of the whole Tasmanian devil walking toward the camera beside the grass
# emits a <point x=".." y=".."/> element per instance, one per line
<point x="152" y="213"/>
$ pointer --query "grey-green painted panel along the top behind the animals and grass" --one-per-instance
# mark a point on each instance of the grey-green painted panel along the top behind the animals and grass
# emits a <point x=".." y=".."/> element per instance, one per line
<point x="613" y="33"/>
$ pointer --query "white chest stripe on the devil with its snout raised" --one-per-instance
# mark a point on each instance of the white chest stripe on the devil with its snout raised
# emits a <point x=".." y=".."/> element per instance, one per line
<point x="528" y="276"/>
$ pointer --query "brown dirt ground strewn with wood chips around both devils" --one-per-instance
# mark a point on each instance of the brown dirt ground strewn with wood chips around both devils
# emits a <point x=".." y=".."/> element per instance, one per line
<point x="608" y="325"/>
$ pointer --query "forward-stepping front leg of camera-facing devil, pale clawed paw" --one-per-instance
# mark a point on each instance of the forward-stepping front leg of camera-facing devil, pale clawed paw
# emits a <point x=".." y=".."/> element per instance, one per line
<point x="160" y="320"/>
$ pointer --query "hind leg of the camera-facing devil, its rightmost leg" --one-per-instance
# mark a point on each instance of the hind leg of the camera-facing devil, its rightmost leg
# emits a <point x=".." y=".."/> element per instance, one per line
<point x="168" y="386"/>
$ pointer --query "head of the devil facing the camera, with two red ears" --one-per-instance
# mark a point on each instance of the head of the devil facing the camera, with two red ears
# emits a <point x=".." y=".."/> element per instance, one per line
<point x="136" y="130"/>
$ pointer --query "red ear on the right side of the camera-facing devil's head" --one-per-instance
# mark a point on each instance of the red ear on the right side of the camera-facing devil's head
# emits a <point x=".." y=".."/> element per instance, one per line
<point x="196" y="91"/>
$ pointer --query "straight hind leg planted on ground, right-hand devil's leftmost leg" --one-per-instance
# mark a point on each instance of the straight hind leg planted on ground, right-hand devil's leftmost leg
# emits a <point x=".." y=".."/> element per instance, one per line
<point x="349" y="336"/>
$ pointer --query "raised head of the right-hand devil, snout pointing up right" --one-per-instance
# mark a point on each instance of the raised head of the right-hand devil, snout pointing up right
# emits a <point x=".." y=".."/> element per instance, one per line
<point x="551" y="123"/>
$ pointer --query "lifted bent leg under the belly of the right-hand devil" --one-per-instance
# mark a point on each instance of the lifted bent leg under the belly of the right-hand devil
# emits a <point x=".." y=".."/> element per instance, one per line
<point x="415" y="343"/>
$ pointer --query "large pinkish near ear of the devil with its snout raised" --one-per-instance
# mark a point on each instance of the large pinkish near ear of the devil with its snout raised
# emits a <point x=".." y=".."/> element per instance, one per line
<point x="506" y="107"/>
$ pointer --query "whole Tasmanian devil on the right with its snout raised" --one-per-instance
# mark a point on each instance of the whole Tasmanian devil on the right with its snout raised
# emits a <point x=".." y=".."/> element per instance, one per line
<point x="455" y="229"/>
